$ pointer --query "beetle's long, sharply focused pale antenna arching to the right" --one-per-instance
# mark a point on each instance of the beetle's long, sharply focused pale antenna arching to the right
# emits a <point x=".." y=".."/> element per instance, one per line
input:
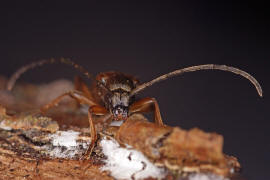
<point x="197" y="68"/>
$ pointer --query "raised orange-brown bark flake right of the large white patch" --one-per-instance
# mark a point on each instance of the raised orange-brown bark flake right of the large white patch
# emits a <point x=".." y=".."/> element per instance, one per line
<point x="177" y="149"/>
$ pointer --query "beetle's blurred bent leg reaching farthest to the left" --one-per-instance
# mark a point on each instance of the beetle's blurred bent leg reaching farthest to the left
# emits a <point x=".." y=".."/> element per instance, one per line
<point x="77" y="95"/>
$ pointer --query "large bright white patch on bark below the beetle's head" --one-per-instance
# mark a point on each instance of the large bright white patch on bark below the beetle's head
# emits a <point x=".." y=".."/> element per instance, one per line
<point x="125" y="163"/>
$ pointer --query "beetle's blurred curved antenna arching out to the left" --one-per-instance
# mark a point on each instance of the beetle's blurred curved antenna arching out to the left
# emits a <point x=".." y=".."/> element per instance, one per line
<point x="20" y="71"/>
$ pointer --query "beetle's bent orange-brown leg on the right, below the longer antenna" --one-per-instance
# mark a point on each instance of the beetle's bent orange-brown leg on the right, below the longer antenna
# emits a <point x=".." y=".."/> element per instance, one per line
<point x="147" y="105"/>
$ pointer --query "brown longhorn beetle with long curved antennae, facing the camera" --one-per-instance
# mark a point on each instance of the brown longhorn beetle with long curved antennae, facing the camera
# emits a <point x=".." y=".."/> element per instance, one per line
<point x="113" y="93"/>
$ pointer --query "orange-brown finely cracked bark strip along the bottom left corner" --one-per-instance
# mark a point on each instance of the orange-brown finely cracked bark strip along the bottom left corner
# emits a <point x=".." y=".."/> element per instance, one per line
<point x="13" y="166"/>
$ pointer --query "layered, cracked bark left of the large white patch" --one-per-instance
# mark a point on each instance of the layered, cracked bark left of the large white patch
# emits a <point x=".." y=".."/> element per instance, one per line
<point x="29" y="153"/>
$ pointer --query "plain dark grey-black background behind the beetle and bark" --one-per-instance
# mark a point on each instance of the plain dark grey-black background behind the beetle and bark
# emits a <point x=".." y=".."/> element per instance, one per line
<point x="151" y="38"/>
